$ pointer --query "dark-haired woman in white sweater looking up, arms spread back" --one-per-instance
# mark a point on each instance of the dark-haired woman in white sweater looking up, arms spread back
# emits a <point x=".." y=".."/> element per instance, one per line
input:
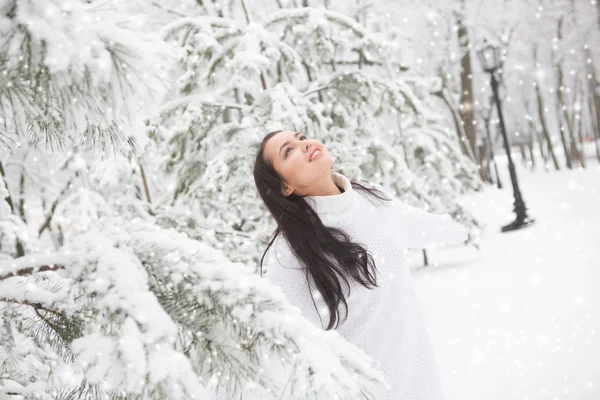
<point x="340" y="258"/>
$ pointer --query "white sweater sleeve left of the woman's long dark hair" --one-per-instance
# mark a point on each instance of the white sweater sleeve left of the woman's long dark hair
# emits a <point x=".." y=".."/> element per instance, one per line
<point x="284" y="271"/>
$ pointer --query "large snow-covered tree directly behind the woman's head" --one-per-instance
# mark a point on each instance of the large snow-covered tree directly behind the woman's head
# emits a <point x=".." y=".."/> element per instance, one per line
<point x="311" y="69"/>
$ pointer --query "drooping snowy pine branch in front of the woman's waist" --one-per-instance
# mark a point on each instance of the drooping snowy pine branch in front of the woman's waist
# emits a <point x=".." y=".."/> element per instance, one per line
<point x="239" y="315"/>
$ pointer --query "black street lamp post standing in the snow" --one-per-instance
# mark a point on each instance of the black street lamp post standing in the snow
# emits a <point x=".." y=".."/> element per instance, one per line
<point x="489" y="56"/>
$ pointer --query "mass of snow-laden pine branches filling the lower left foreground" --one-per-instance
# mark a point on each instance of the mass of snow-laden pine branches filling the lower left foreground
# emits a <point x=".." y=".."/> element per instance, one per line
<point x="165" y="313"/>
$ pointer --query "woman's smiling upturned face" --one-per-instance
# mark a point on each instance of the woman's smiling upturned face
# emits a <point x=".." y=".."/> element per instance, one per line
<point x="290" y="152"/>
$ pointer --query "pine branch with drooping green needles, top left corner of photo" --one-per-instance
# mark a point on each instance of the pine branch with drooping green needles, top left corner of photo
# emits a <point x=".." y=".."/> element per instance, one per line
<point x="45" y="105"/>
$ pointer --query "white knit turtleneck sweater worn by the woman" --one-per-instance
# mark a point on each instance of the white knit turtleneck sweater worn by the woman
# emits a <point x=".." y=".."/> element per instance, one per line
<point x="384" y="322"/>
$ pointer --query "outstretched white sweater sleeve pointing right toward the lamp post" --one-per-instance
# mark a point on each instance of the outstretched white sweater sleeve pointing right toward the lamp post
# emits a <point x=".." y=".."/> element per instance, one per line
<point x="419" y="229"/>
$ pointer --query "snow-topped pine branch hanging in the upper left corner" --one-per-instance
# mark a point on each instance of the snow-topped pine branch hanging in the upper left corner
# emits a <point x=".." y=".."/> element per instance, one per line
<point x="71" y="67"/>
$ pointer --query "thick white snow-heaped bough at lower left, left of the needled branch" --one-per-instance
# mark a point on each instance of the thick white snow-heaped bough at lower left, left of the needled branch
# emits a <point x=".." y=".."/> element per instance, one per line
<point x="130" y="346"/>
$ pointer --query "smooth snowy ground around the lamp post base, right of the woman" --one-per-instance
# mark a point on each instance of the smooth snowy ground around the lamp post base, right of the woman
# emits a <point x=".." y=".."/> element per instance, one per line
<point x="520" y="319"/>
